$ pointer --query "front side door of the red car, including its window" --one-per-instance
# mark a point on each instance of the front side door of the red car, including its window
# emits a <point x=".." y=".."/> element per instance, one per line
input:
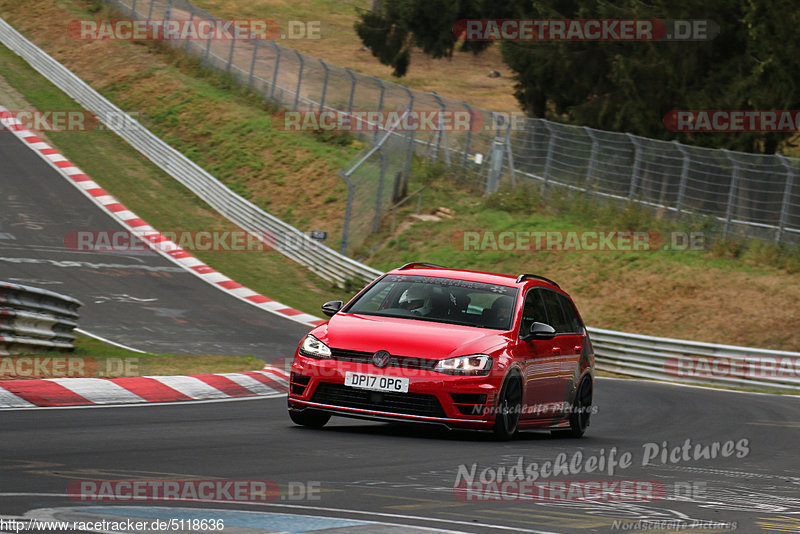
<point x="541" y="367"/>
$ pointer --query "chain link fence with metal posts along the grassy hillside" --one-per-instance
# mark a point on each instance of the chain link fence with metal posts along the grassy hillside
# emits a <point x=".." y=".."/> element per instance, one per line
<point x="755" y="195"/>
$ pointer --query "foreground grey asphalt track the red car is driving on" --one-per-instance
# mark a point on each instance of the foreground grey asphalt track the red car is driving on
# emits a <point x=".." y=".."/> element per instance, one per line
<point x="405" y="474"/>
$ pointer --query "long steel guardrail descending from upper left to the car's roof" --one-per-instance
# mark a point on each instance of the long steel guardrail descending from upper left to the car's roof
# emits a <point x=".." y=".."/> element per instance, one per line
<point x="287" y="240"/>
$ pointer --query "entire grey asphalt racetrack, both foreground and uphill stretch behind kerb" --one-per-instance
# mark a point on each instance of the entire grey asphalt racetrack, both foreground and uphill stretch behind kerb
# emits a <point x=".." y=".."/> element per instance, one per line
<point x="352" y="473"/>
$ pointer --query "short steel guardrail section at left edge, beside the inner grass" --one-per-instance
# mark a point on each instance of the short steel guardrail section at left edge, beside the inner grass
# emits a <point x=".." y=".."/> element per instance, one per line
<point x="35" y="320"/>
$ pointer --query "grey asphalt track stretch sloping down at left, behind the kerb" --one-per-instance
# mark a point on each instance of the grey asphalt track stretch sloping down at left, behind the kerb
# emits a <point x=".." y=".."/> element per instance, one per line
<point x="140" y="299"/>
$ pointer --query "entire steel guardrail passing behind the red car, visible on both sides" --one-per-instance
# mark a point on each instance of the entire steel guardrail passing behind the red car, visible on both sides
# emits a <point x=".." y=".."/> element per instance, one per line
<point x="630" y="354"/>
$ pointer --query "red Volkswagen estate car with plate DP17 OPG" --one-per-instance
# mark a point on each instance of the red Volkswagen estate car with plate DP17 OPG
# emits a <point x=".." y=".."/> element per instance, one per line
<point x="463" y="349"/>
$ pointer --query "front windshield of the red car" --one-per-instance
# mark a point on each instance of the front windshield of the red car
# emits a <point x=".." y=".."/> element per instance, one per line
<point x="444" y="300"/>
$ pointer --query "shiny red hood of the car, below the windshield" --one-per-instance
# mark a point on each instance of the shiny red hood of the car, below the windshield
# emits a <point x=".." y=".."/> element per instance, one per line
<point x="407" y="337"/>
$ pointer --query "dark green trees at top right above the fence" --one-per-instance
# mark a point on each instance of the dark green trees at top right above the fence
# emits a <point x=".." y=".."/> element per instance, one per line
<point x="613" y="85"/>
